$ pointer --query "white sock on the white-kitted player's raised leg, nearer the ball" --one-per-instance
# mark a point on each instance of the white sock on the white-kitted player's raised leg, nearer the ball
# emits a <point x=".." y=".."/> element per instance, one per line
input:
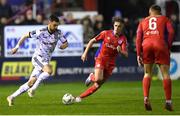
<point x="41" y="77"/>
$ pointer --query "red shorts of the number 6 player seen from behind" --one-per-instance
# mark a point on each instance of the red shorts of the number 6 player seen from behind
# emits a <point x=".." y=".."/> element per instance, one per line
<point x="158" y="54"/>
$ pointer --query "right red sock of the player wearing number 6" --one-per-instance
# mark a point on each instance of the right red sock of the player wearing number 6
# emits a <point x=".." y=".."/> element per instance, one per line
<point x="167" y="88"/>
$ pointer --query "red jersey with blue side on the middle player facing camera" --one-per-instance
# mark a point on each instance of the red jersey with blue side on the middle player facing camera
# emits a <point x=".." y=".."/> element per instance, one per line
<point x="109" y="45"/>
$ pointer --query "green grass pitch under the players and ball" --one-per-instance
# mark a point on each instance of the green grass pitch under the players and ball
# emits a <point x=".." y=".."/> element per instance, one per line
<point x="113" y="98"/>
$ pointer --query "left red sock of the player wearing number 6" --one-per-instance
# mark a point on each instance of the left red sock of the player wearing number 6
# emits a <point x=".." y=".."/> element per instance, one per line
<point x="146" y="86"/>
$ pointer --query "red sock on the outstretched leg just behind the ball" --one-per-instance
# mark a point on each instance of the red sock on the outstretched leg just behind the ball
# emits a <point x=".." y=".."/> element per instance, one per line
<point x="89" y="91"/>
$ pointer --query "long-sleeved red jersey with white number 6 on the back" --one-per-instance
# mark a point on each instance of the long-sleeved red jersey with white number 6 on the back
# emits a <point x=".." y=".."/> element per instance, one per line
<point x="153" y="29"/>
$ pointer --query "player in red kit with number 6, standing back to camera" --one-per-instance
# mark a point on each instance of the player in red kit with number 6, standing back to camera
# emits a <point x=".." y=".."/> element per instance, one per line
<point x="153" y="43"/>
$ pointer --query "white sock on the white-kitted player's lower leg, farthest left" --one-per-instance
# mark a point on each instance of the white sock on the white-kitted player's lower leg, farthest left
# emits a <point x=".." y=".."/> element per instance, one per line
<point x="23" y="88"/>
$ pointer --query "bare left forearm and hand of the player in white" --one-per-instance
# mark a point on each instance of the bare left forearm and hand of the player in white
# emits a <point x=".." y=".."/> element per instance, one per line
<point x="15" y="49"/>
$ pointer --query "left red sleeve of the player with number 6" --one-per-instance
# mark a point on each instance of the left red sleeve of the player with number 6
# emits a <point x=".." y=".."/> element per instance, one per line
<point x="139" y="38"/>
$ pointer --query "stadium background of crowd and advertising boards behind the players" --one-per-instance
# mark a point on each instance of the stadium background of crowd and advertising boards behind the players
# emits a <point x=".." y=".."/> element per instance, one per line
<point x="80" y="21"/>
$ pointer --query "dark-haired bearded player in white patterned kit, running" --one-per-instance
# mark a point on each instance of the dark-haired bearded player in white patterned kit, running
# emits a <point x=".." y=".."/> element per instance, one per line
<point x="47" y="39"/>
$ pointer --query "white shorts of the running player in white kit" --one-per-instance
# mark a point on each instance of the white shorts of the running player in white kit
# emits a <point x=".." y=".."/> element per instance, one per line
<point x="39" y="62"/>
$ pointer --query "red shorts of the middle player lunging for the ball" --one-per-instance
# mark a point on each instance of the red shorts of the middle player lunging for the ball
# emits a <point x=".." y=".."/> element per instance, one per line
<point x="105" y="65"/>
